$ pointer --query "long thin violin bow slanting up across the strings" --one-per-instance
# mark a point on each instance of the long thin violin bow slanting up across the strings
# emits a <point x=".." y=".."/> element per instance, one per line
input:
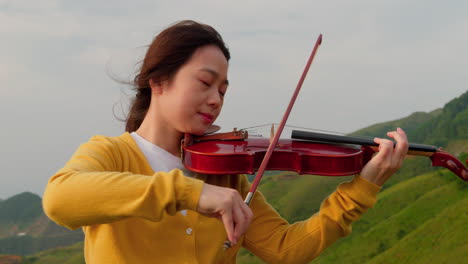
<point x="274" y="141"/>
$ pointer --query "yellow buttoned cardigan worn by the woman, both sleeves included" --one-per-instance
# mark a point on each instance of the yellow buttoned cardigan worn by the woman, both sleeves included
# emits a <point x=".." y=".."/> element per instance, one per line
<point x="130" y="214"/>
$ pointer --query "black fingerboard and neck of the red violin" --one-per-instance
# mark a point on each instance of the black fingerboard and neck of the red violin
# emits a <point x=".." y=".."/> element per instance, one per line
<point x="414" y="149"/>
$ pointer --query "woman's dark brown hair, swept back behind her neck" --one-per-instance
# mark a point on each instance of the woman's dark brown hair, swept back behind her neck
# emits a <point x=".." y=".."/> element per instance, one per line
<point x="171" y="49"/>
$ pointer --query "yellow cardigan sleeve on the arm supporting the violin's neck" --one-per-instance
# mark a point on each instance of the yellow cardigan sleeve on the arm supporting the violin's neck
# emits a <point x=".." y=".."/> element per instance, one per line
<point x="274" y="240"/>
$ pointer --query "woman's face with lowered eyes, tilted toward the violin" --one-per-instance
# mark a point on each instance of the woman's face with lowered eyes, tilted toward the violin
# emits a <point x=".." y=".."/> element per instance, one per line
<point x="192" y="100"/>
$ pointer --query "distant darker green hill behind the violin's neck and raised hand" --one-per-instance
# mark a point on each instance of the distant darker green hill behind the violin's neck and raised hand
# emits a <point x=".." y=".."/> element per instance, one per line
<point x="446" y="128"/>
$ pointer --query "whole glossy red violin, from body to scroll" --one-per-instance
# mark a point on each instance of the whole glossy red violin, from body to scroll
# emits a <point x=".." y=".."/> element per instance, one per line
<point x="307" y="153"/>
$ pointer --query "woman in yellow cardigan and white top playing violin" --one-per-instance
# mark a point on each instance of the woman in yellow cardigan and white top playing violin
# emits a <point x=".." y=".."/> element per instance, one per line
<point x="137" y="204"/>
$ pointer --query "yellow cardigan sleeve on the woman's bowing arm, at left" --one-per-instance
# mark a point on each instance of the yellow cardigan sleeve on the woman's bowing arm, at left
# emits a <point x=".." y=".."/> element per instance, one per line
<point x="97" y="186"/>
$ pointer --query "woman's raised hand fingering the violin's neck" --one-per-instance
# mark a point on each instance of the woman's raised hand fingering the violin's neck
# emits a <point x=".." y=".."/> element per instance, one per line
<point x="388" y="159"/>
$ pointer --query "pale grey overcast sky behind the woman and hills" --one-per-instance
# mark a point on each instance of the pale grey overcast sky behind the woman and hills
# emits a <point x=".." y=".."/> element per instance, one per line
<point x="379" y="61"/>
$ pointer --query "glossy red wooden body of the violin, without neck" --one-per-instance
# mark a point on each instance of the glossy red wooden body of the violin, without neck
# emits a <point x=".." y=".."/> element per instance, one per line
<point x="245" y="157"/>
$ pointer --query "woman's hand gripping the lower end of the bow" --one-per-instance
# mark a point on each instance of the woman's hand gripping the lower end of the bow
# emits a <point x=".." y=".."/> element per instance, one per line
<point x="227" y="205"/>
